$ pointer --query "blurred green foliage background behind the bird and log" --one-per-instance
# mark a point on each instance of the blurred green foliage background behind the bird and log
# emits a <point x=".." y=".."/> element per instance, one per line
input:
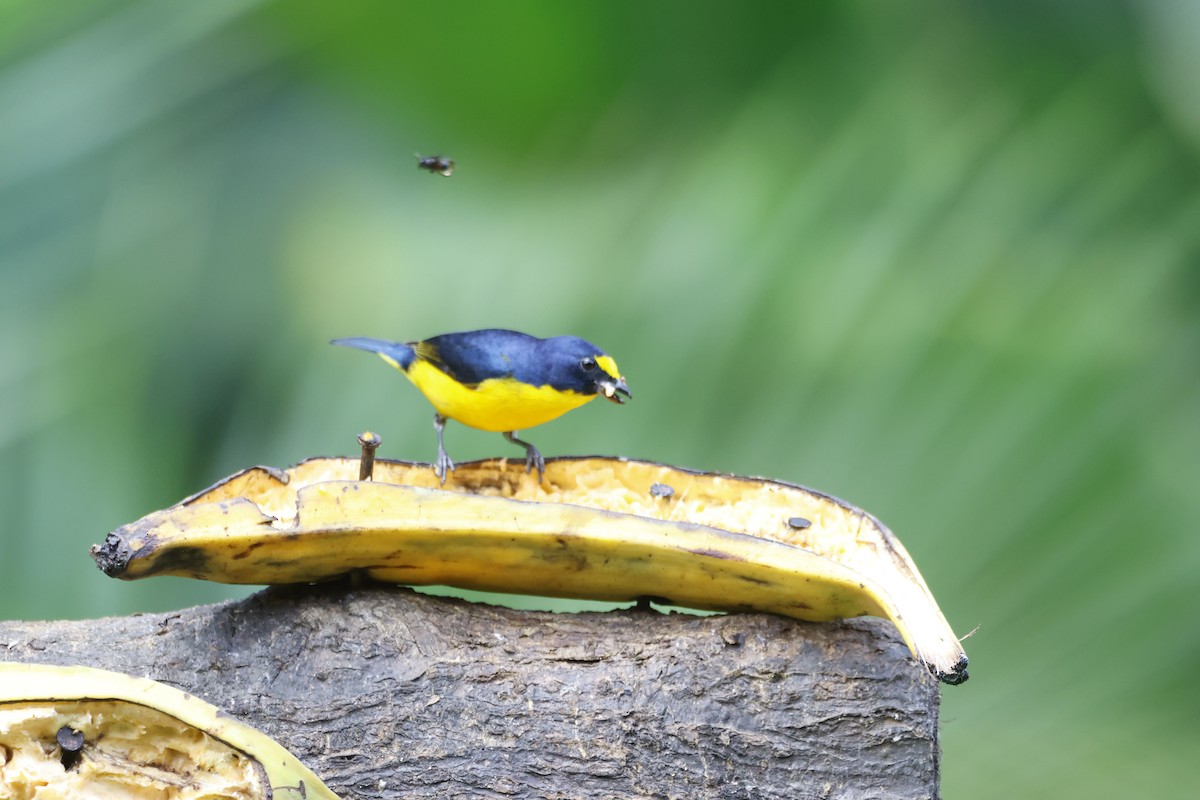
<point x="937" y="258"/>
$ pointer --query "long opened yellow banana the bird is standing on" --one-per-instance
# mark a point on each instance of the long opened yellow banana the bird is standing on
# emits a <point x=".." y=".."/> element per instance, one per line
<point x="595" y="528"/>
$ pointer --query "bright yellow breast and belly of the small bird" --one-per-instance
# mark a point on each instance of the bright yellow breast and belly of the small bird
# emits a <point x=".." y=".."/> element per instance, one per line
<point x="496" y="405"/>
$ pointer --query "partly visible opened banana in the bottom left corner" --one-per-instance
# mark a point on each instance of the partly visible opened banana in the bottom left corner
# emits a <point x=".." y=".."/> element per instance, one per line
<point x="77" y="732"/>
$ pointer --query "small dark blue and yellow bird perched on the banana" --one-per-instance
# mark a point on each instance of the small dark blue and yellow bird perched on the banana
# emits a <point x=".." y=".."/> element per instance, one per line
<point x="501" y="381"/>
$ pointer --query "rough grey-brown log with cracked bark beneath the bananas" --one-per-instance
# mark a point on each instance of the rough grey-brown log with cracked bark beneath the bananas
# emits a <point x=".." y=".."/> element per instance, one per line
<point x="389" y="694"/>
